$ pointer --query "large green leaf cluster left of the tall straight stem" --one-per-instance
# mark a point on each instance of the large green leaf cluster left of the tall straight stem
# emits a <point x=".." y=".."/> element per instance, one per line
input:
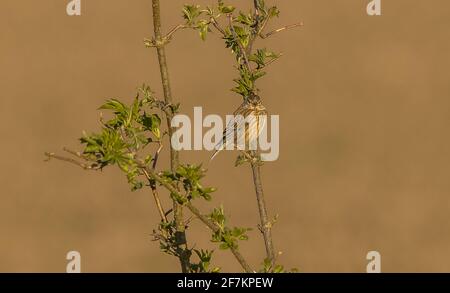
<point x="124" y="136"/>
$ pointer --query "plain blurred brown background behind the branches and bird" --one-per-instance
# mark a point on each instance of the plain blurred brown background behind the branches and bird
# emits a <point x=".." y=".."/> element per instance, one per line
<point x="364" y="160"/>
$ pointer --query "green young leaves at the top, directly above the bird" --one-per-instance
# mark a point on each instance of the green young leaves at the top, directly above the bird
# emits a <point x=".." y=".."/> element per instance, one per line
<point x="239" y="35"/>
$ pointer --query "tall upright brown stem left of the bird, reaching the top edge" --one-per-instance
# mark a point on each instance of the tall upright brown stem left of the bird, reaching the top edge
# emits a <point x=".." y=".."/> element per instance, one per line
<point x="174" y="157"/>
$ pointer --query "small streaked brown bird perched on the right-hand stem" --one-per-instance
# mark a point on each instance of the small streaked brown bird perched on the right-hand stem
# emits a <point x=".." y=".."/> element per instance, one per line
<point x="252" y="115"/>
